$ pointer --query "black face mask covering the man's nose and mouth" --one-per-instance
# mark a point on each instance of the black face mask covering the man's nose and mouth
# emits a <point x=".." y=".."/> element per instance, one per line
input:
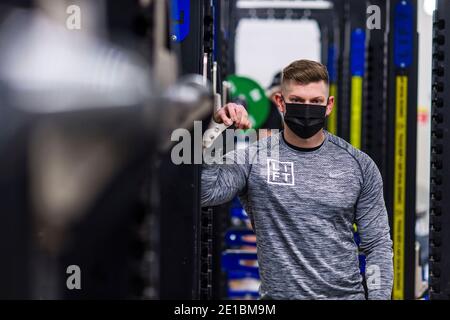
<point x="305" y="120"/>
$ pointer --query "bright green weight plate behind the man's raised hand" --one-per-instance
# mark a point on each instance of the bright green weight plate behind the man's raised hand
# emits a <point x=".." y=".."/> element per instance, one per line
<point x="258" y="105"/>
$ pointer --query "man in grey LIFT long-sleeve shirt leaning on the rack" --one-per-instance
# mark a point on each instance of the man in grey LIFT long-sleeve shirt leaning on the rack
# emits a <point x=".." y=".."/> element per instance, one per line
<point x="304" y="202"/>
